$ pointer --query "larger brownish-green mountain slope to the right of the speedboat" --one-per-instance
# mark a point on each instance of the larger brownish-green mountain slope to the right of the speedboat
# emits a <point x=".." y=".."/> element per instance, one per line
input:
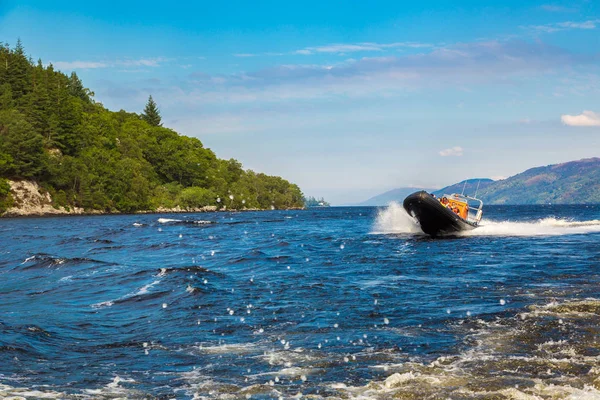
<point x="575" y="182"/>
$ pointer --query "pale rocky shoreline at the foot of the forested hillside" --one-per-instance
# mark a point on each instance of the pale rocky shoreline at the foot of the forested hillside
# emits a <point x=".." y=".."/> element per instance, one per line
<point x="29" y="200"/>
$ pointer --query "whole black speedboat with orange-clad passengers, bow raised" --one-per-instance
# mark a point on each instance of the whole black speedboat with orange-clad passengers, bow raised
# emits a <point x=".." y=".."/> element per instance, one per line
<point x="445" y="215"/>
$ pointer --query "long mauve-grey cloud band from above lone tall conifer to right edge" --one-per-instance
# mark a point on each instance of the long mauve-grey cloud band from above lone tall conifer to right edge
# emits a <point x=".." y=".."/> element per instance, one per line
<point x="458" y="66"/>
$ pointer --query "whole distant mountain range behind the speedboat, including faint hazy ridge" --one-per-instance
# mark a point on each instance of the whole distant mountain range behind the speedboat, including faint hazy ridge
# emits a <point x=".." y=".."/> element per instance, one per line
<point x="574" y="182"/>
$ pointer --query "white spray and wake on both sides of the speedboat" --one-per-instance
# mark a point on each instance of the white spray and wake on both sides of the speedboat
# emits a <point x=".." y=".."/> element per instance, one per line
<point x="394" y="219"/>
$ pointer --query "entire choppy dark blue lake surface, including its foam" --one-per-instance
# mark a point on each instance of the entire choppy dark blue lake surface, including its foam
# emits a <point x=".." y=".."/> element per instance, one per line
<point x="325" y="303"/>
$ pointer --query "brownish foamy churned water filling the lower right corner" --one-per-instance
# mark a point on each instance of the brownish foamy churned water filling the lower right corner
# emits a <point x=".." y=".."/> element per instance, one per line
<point x="548" y="352"/>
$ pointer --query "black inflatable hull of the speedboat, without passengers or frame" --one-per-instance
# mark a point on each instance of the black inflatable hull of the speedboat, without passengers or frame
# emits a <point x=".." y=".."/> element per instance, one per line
<point x="434" y="218"/>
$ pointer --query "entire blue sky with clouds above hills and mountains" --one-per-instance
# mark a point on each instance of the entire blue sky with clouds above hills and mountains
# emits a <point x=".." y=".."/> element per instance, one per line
<point x="346" y="98"/>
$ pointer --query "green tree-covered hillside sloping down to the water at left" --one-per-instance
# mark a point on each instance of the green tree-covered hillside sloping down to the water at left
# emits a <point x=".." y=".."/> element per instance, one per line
<point x="53" y="131"/>
